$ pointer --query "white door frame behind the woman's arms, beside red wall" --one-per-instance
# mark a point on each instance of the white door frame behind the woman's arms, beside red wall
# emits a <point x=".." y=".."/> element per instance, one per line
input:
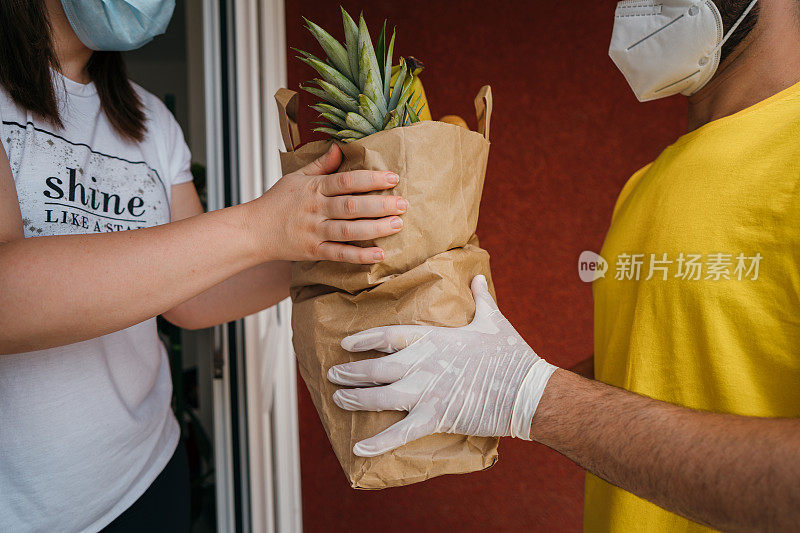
<point x="265" y="371"/>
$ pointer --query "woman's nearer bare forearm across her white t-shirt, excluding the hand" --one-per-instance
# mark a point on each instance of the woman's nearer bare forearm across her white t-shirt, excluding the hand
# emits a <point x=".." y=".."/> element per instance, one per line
<point x="65" y="289"/>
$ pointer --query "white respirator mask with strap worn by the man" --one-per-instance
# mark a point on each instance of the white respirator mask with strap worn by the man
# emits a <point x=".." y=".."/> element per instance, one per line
<point x="666" y="47"/>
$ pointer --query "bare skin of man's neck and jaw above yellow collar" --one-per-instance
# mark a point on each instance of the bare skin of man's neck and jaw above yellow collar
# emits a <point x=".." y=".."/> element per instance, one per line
<point x="764" y="64"/>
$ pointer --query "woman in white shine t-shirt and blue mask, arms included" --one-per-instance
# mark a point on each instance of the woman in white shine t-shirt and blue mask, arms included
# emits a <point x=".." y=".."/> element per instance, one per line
<point x="87" y="438"/>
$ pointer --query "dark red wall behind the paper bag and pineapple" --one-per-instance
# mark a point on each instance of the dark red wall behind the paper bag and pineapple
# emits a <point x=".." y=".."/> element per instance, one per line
<point x="566" y="134"/>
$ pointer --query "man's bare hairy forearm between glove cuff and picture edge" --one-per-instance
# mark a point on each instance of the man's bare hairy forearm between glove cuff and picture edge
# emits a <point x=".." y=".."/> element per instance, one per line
<point x="728" y="472"/>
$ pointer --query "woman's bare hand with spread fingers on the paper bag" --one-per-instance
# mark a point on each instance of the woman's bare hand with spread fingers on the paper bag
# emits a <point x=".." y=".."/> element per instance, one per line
<point x="310" y="214"/>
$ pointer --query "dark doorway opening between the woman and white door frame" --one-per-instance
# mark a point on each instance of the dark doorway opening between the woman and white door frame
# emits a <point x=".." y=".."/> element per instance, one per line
<point x="171" y="67"/>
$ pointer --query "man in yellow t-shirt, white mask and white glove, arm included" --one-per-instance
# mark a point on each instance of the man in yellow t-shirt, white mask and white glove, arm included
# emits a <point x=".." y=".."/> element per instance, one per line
<point x="699" y="319"/>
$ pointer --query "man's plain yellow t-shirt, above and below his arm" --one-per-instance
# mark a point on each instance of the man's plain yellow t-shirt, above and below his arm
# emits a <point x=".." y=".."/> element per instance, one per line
<point x="714" y="223"/>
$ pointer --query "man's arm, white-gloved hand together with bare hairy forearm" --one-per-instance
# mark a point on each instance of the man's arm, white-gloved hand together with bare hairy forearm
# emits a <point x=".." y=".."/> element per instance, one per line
<point x="725" y="471"/>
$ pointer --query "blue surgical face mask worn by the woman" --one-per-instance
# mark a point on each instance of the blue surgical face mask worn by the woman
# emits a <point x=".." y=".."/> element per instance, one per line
<point x="118" y="25"/>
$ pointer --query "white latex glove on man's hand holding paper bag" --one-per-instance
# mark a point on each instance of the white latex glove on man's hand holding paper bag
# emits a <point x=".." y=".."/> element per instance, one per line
<point x="481" y="379"/>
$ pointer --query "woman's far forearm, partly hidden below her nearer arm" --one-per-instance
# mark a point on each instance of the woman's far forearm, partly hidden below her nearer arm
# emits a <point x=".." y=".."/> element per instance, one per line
<point x="245" y="293"/>
